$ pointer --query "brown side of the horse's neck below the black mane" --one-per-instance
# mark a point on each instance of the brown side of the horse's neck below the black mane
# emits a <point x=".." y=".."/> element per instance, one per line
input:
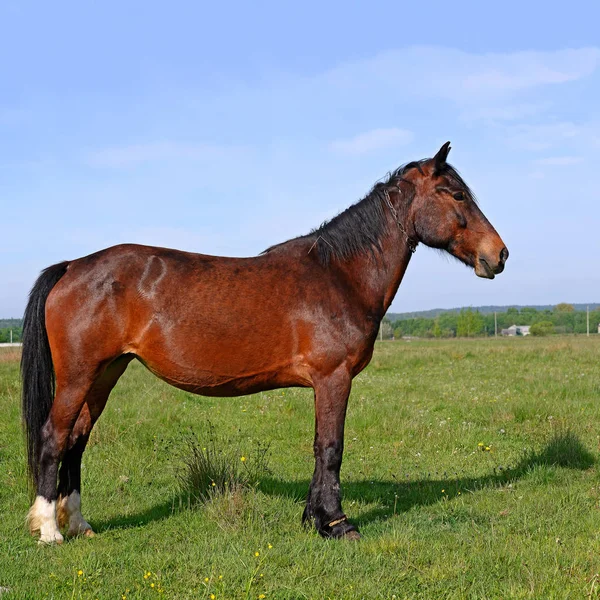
<point x="376" y="276"/>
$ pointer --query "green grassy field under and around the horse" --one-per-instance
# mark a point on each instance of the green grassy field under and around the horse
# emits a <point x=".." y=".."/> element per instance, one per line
<point x="470" y="468"/>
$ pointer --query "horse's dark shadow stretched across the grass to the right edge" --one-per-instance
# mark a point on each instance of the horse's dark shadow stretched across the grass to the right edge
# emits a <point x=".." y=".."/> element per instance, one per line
<point x="393" y="496"/>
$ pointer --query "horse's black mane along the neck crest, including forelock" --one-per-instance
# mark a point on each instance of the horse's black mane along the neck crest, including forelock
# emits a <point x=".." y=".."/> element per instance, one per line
<point x="362" y="227"/>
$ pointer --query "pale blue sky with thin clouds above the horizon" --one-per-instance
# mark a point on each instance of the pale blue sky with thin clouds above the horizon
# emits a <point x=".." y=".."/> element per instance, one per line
<point x="224" y="128"/>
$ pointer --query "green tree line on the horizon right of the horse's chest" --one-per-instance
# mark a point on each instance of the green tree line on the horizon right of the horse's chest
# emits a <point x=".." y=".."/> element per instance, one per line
<point x="563" y="318"/>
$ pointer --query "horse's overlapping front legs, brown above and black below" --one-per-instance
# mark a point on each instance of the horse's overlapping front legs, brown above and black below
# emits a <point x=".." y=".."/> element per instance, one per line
<point x="323" y="503"/>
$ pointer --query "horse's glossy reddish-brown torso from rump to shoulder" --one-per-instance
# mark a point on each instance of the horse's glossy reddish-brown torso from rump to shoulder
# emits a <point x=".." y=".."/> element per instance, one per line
<point x="206" y="323"/>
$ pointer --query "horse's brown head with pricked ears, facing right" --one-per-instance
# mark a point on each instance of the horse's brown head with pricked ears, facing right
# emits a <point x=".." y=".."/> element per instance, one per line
<point x="443" y="214"/>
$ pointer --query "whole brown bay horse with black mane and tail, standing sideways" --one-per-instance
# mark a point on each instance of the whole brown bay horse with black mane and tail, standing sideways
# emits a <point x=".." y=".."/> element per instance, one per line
<point x="304" y="313"/>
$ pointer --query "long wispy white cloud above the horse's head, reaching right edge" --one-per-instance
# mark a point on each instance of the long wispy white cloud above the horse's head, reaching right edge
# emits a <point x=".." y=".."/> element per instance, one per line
<point x="476" y="83"/>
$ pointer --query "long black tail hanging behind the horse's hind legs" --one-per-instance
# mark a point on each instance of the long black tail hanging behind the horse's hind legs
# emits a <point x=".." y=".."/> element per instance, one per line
<point x="37" y="371"/>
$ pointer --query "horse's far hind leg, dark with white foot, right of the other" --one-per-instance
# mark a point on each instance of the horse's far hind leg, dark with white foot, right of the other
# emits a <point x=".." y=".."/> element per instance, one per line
<point x="69" y="477"/>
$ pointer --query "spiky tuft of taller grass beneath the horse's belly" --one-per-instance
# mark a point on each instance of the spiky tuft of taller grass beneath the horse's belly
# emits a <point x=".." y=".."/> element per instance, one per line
<point x="212" y="465"/>
